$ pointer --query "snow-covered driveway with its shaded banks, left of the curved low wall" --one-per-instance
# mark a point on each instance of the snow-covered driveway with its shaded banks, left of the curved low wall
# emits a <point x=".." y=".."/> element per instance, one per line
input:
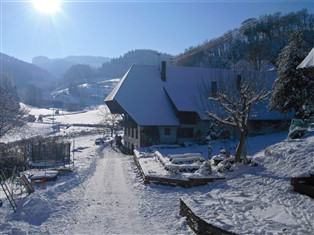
<point x="104" y="195"/>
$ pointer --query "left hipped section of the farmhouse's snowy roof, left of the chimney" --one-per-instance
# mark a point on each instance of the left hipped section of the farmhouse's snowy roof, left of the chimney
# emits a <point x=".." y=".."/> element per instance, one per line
<point x="141" y="94"/>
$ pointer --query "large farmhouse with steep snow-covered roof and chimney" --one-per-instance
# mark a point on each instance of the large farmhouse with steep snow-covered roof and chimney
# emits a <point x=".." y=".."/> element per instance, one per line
<point x="162" y="105"/>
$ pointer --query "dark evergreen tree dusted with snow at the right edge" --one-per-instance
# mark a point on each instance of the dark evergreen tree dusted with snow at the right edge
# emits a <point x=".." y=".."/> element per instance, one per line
<point x="293" y="89"/>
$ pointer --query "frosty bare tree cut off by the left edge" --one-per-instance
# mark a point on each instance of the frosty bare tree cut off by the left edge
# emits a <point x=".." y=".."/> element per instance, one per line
<point x="12" y="115"/>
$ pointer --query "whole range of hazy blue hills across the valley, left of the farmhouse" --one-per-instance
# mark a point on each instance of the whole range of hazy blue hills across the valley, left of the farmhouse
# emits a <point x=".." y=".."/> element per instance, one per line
<point x="38" y="87"/>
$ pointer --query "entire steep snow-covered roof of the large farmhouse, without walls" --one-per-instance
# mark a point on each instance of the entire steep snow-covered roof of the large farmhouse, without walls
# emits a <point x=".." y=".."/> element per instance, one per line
<point x="151" y="101"/>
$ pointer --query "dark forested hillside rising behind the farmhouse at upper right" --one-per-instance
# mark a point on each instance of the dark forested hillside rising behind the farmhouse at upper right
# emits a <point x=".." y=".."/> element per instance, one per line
<point x="257" y="41"/>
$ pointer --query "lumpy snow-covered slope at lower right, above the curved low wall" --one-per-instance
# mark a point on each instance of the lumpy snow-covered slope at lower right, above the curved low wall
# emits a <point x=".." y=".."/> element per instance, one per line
<point x="260" y="200"/>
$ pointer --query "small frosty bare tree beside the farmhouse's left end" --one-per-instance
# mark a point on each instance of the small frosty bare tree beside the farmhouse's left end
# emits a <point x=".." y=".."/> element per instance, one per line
<point x="109" y="121"/>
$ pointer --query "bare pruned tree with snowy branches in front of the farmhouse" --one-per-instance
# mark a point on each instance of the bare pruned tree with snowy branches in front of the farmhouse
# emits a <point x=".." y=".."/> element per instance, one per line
<point x="236" y="97"/>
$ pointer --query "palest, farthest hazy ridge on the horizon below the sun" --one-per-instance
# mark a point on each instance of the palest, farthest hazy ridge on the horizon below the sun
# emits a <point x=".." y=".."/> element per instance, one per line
<point x="58" y="66"/>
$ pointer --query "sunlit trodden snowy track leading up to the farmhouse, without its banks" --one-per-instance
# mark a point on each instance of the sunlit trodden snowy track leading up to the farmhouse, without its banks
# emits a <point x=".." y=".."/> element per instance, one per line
<point x="109" y="204"/>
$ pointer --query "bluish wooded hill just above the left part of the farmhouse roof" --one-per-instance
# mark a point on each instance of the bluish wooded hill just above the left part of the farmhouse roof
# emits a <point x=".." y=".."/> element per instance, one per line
<point x="118" y="66"/>
